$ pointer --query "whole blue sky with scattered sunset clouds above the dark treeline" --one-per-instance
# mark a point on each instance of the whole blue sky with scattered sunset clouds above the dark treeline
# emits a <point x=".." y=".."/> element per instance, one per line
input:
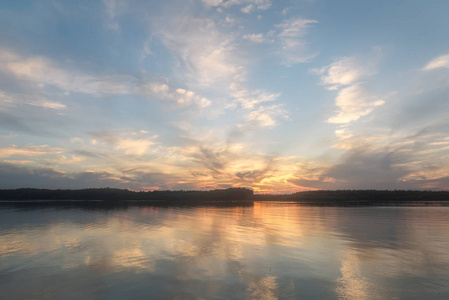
<point x="276" y="96"/>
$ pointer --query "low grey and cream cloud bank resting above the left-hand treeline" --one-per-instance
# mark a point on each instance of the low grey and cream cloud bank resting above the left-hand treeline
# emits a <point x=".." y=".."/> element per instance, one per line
<point x="111" y="158"/>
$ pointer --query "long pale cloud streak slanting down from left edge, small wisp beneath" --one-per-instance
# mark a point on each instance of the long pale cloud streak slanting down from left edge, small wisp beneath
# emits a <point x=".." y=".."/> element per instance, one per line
<point x="42" y="71"/>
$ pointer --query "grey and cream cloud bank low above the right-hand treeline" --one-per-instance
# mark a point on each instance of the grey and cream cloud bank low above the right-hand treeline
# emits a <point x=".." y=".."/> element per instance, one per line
<point x="381" y="160"/>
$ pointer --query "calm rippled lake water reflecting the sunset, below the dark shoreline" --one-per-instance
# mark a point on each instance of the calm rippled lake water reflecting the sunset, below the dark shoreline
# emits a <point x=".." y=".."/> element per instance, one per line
<point x="266" y="251"/>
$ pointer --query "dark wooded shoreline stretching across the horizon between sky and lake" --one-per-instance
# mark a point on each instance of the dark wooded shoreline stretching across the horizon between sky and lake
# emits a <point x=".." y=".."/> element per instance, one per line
<point x="231" y="196"/>
